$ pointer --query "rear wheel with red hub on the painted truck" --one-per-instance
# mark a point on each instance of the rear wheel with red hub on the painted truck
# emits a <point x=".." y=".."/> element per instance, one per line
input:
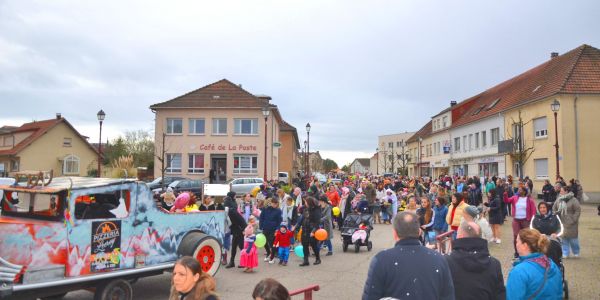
<point x="206" y="249"/>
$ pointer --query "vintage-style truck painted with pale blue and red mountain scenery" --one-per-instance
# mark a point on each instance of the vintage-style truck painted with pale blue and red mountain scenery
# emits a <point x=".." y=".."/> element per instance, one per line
<point x="95" y="233"/>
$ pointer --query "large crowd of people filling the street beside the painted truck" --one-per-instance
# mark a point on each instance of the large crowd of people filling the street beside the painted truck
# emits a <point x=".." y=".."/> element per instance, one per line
<point x="472" y="209"/>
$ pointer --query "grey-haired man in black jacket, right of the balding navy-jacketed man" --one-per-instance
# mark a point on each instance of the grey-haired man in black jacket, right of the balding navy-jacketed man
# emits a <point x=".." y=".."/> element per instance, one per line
<point x="476" y="275"/>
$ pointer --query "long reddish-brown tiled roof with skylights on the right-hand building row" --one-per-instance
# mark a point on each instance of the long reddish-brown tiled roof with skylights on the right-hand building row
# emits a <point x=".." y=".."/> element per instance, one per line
<point x="577" y="71"/>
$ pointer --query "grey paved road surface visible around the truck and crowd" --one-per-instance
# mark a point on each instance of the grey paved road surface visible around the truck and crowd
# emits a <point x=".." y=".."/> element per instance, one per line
<point x="342" y="275"/>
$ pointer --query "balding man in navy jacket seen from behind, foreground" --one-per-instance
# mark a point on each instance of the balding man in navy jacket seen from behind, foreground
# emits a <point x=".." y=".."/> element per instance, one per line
<point x="409" y="270"/>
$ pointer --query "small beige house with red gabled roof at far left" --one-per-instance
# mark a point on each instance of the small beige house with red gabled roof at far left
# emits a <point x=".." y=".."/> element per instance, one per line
<point x="46" y="145"/>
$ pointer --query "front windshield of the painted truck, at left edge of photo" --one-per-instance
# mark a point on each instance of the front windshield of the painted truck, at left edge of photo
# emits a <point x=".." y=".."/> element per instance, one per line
<point x="34" y="205"/>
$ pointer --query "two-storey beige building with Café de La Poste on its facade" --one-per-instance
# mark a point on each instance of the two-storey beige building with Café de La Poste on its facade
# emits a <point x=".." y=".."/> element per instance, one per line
<point x="218" y="127"/>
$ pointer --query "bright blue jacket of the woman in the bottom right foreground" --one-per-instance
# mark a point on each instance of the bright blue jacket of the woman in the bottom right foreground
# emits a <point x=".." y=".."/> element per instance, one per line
<point x="527" y="276"/>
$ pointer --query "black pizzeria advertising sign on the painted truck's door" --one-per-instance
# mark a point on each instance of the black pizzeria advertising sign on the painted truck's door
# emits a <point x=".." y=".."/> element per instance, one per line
<point x="106" y="246"/>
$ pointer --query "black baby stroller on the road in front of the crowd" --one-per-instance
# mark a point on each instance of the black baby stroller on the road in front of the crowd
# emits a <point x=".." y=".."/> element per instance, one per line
<point x="356" y="231"/>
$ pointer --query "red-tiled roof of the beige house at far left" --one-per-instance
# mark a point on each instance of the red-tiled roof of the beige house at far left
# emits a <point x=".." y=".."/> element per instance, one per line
<point x="37" y="129"/>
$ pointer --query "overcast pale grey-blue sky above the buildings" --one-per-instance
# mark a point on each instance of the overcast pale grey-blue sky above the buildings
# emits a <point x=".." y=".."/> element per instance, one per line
<point x="353" y="69"/>
